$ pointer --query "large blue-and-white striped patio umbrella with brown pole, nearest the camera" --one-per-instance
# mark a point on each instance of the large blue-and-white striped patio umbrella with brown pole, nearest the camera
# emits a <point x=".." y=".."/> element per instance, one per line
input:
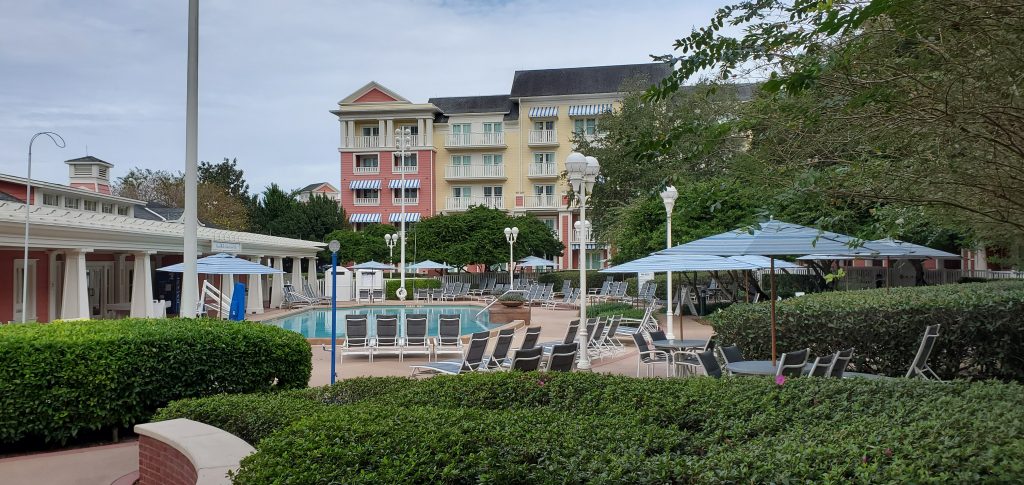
<point x="774" y="239"/>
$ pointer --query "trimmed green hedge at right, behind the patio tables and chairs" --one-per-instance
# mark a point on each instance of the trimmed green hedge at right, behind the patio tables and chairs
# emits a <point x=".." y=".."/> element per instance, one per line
<point x="983" y="333"/>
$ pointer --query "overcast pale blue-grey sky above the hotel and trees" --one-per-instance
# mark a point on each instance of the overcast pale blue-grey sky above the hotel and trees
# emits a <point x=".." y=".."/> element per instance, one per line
<point x="110" y="75"/>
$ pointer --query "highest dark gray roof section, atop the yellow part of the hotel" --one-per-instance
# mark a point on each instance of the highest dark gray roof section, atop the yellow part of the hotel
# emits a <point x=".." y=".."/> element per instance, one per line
<point x="603" y="79"/>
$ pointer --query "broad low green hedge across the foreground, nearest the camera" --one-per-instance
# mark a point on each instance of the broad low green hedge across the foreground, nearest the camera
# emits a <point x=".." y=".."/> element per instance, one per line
<point x="582" y="428"/>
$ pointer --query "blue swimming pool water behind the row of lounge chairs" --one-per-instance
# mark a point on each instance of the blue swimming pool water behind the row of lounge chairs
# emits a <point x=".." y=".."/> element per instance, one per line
<point x="316" y="324"/>
